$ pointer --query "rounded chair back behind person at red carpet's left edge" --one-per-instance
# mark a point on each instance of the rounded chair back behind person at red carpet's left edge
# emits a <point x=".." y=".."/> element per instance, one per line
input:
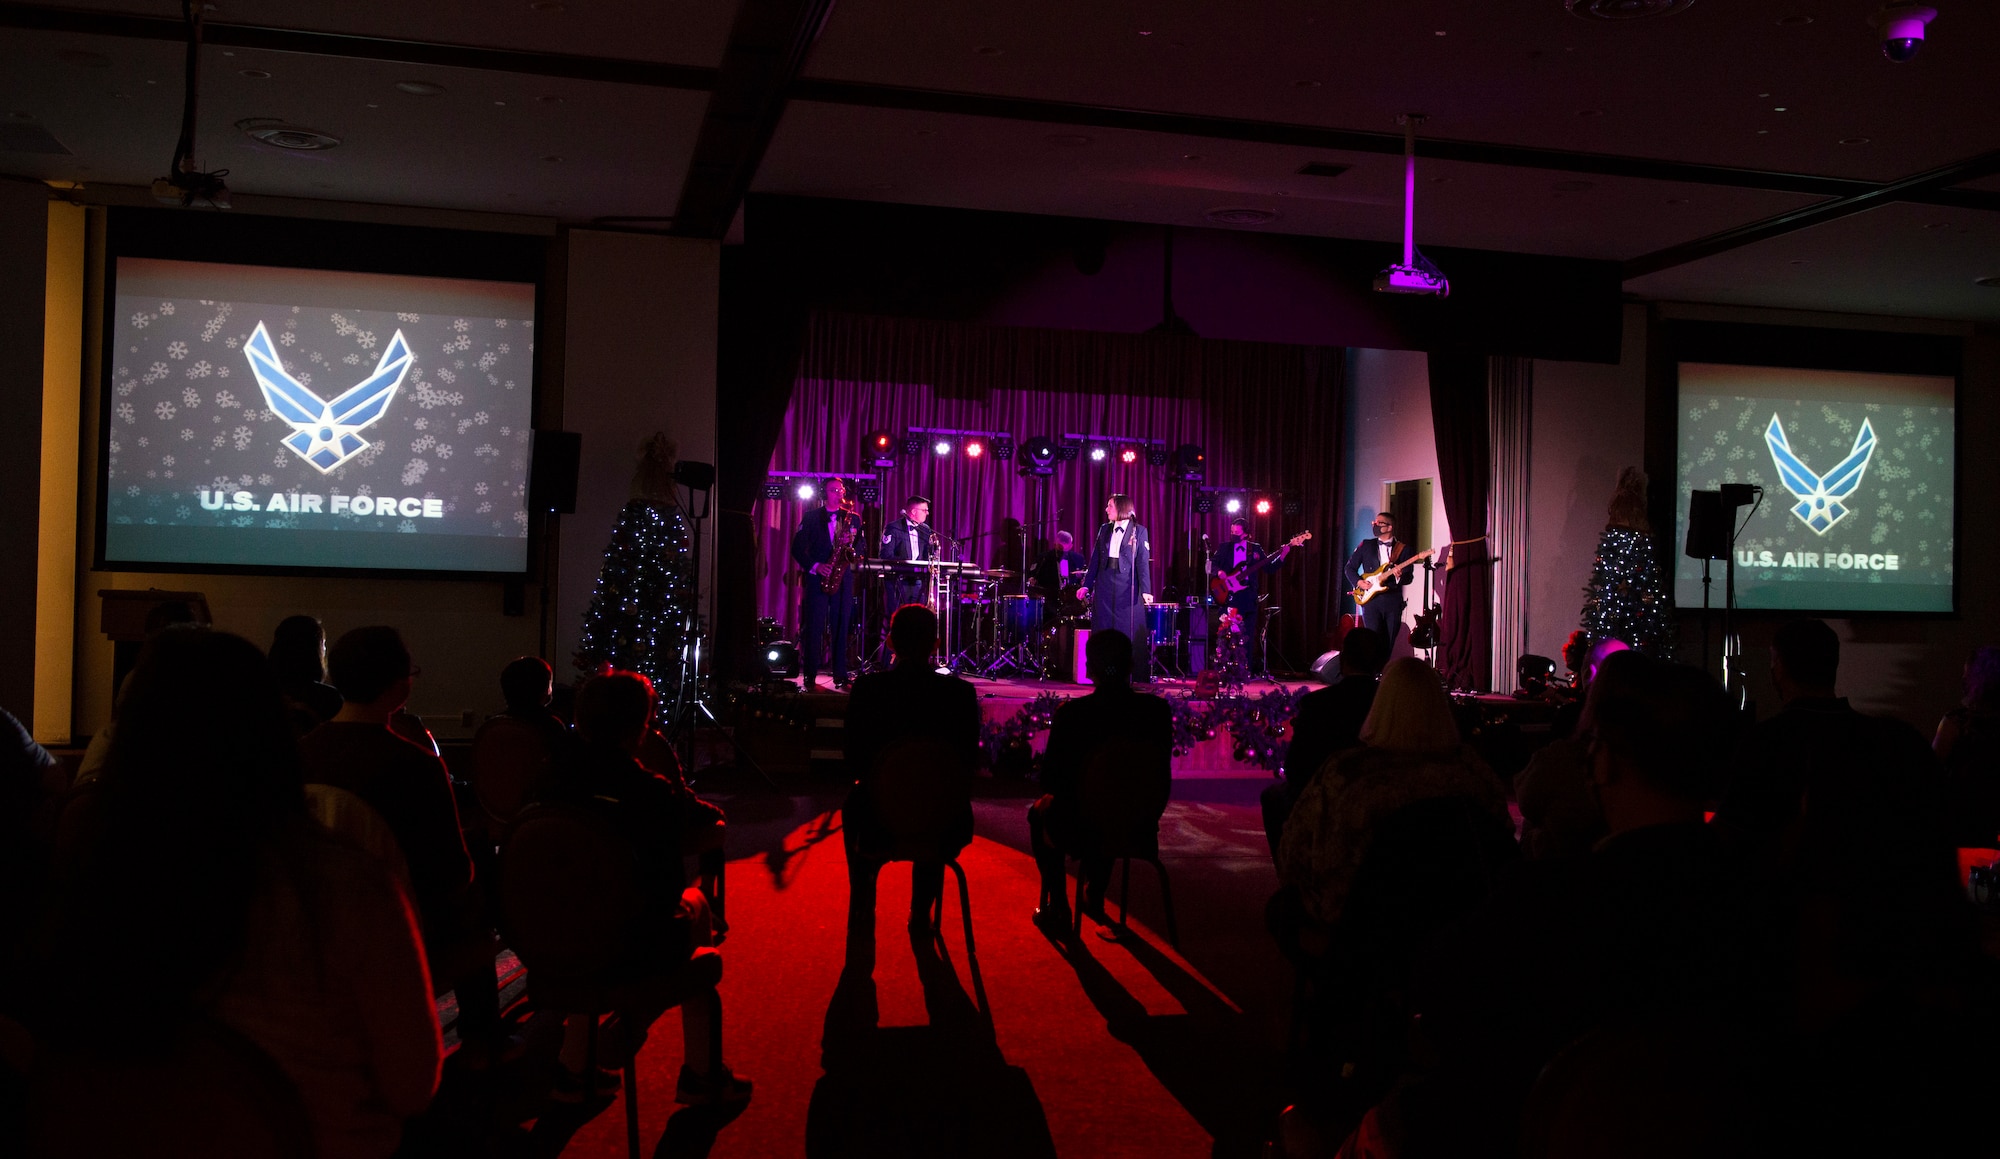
<point x="569" y="894"/>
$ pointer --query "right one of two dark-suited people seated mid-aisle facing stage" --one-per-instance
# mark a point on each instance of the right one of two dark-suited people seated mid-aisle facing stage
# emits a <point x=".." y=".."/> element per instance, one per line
<point x="1113" y="714"/>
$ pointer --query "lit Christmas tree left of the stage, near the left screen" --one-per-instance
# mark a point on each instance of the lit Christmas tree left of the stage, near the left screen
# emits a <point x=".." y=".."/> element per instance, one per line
<point x="643" y="606"/>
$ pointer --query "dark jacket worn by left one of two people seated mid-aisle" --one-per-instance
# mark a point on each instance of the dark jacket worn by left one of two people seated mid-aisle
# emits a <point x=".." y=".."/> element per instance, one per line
<point x="907" y="702"/>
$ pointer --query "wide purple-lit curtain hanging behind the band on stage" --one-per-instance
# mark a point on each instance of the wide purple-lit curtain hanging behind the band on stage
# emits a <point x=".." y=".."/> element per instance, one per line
<point x="1267" y="417"/>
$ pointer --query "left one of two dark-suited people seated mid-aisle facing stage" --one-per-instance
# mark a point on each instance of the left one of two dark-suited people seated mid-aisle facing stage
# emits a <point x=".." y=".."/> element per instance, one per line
<point x="889" y="708"/>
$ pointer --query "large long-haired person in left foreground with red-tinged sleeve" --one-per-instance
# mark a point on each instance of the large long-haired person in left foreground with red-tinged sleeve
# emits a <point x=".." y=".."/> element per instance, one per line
<point x="201" y="888"/>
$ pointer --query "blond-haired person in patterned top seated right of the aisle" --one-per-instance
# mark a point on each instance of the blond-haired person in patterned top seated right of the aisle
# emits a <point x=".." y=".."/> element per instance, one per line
<point x="1409" y="754"/>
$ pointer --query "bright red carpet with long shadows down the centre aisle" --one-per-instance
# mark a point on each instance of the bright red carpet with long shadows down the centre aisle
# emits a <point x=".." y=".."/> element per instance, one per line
<point x="1117" y="1054"/>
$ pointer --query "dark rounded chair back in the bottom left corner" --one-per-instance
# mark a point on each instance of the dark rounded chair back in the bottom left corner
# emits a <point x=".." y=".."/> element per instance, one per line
<point x="209" y="1092"/>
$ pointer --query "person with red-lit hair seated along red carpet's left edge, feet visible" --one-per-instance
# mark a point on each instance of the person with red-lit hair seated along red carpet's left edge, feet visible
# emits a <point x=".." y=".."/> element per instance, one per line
<point x="603" y="774"/>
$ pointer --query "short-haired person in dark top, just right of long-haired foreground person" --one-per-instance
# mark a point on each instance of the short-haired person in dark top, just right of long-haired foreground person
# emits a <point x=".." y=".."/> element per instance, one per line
<point x="413" y="794"/>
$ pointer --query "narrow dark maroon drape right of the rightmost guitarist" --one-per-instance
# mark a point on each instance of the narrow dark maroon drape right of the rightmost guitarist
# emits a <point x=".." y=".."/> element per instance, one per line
<point x="1459" y="419"/>
